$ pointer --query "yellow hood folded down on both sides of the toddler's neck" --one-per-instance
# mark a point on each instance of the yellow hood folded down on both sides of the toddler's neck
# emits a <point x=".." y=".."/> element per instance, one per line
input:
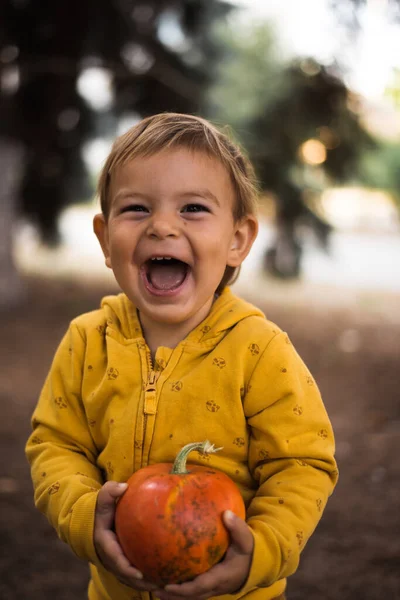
<point x="226" y="312"/>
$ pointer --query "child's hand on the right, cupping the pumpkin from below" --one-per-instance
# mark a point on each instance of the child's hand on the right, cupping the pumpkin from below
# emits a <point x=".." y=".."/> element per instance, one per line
<point x="226" y="577"/>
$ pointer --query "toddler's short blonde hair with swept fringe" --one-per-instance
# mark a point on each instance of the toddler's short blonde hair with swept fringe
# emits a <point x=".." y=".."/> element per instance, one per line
<point x="172" y="130"/>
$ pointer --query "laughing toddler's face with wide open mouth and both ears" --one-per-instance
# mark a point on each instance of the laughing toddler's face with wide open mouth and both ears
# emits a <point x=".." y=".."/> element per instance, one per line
<point x="171" y="233"/>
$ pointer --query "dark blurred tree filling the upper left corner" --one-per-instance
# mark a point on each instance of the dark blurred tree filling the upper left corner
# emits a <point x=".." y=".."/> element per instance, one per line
<point x="155" y="55"/>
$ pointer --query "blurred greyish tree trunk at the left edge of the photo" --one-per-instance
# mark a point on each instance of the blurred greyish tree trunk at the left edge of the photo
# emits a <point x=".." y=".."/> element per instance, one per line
<point x="11" y="164"/>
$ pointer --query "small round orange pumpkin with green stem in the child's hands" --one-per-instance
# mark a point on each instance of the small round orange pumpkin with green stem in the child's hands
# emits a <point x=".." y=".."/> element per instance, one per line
<point x="169" y="520"/>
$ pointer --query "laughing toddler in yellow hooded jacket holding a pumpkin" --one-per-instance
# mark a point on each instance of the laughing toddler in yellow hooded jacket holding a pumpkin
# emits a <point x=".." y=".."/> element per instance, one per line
<point x="178" y="358"/>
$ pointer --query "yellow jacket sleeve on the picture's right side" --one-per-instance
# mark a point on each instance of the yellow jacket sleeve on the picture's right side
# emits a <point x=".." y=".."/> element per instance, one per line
<point x="291" y="456"/>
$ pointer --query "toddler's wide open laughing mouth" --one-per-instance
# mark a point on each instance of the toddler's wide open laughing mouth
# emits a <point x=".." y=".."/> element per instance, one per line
<point x="165" y="274"/>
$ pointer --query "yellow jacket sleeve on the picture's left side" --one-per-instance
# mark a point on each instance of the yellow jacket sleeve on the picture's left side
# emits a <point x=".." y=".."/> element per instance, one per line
<point x="62" y="453"/>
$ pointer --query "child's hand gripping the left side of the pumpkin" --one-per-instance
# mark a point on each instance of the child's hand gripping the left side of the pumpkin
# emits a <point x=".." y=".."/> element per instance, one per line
<point x="106" y="543"/>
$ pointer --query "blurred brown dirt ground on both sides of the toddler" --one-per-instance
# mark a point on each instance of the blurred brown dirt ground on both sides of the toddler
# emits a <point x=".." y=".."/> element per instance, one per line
<point x="354" y="355"/>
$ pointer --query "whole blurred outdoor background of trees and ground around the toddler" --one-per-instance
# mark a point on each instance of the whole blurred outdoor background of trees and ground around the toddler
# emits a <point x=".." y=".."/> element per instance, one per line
<point x="311" y="90"/>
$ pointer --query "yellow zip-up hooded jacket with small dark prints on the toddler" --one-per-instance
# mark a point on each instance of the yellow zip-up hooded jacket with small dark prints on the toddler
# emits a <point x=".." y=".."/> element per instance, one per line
<point x="106" y="410"/>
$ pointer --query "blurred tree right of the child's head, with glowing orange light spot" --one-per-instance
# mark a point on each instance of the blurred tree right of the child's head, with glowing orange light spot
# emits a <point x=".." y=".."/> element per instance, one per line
<point x="300" y="125"/>
